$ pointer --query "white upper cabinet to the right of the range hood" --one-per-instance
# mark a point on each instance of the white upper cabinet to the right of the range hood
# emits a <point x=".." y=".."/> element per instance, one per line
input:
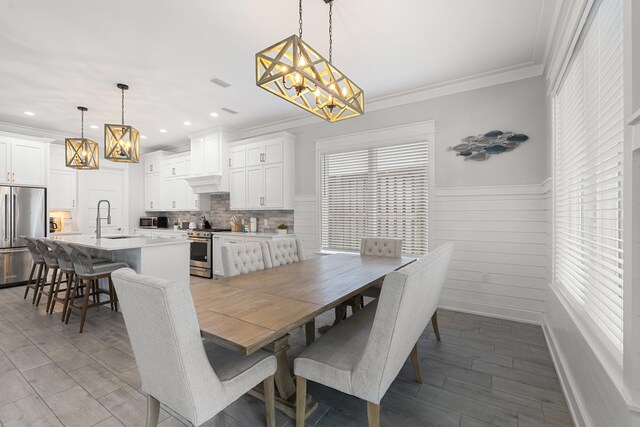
<point x="262" y="172"/>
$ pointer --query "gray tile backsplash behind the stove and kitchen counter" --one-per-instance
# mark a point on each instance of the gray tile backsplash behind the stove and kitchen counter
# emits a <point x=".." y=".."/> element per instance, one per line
<point x="220" y="213"/>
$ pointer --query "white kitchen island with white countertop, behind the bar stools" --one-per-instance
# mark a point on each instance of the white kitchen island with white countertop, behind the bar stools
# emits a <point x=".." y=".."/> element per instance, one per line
<point x="159" y="257"/>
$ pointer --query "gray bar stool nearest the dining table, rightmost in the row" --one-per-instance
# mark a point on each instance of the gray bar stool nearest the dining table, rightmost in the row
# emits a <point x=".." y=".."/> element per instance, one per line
<point x="86" y="271"/>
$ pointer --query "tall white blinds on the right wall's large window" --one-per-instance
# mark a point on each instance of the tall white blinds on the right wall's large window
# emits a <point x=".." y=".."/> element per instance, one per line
<point x="589" y="124"/>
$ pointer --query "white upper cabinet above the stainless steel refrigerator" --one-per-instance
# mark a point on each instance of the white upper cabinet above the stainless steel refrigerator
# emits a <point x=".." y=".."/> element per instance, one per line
<point x="23" y="162"/>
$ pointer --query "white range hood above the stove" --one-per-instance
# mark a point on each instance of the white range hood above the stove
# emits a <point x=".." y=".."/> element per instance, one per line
<point x="210" y="162"/>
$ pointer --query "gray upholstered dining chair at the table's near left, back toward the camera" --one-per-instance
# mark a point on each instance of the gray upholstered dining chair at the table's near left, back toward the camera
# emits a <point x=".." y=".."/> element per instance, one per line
<point x="196" y="379"/>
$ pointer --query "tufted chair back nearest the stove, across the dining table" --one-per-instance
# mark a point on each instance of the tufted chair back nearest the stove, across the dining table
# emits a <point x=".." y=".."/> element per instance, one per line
<point x="246" y="258"/>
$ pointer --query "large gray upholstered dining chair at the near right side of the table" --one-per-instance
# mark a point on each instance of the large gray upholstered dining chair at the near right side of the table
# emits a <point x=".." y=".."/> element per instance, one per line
<point x="363" y="355"/>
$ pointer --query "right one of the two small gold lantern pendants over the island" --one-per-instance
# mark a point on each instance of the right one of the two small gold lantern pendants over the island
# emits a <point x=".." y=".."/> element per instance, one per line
<point x="121" y="142"/>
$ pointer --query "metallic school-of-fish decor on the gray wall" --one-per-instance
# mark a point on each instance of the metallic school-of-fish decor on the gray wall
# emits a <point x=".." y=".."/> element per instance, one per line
<point x="481" y="147"/>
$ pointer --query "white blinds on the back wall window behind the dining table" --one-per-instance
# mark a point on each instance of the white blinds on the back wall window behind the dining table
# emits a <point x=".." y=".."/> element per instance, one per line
<point x="375" y="192"/>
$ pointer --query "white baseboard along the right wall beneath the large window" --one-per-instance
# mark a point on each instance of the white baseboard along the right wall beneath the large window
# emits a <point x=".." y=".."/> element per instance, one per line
<point x="566" y="379"/>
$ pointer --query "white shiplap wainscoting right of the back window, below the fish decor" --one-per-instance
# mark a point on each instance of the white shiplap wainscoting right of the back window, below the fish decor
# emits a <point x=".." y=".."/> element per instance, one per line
<point x="501" y="264"/>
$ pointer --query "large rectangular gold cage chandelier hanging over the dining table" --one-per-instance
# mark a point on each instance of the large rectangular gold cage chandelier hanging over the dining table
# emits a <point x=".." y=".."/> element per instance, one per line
<point x="293" y="70"/>
